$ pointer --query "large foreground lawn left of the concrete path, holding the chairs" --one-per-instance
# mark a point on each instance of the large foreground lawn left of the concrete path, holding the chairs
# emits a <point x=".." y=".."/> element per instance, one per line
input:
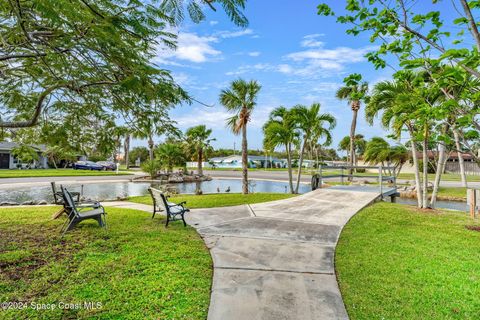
<point x="137" y="269"/>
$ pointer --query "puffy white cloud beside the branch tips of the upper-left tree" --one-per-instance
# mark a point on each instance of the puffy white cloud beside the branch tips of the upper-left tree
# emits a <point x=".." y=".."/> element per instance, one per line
<point x="190" y="47"/>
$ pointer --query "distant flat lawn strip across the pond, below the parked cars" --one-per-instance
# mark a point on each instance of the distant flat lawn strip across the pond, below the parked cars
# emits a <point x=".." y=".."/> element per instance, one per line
<point x="55" y="173"/>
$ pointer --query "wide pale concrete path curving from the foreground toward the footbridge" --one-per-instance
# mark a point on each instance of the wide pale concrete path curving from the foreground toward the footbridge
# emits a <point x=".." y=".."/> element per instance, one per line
<point x="275" y="260"/>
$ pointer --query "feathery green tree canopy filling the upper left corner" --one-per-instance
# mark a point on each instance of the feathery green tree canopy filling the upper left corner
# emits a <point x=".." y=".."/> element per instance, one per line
<point x="77" y="57"/>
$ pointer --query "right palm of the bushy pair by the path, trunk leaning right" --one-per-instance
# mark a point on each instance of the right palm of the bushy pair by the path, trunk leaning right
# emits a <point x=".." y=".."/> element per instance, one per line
<point x="311" y="123"/>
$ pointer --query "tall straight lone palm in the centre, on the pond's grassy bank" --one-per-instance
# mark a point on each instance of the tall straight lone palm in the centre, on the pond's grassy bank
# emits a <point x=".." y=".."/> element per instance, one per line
<point x="241" y="99"/>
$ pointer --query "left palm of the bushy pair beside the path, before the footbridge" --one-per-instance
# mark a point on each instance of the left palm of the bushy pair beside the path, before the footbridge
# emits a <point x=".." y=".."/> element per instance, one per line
<point x="281" y="130"/>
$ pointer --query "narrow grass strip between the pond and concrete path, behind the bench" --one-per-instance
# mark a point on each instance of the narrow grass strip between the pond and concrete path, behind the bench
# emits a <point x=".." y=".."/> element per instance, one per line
<point x="218" y="200"/>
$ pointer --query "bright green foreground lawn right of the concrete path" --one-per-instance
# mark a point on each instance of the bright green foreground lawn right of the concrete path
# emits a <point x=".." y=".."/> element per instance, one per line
<point x="395" y="262"/>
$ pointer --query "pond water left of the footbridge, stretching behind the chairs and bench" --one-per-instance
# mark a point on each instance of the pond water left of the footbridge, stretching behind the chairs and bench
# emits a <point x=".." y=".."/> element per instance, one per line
<point x="111" y="191"/>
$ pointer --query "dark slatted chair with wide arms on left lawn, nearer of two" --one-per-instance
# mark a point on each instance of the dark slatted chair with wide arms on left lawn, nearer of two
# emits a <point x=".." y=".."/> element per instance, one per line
<point x="77" y="213"/>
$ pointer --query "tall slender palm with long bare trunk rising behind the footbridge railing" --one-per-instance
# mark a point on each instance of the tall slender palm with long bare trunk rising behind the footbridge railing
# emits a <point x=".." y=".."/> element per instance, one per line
<point x="353" y="92"/>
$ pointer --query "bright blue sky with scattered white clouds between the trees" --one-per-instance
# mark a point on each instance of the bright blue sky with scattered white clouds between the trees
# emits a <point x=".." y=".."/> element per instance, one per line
<point x="297" y="56"/>
